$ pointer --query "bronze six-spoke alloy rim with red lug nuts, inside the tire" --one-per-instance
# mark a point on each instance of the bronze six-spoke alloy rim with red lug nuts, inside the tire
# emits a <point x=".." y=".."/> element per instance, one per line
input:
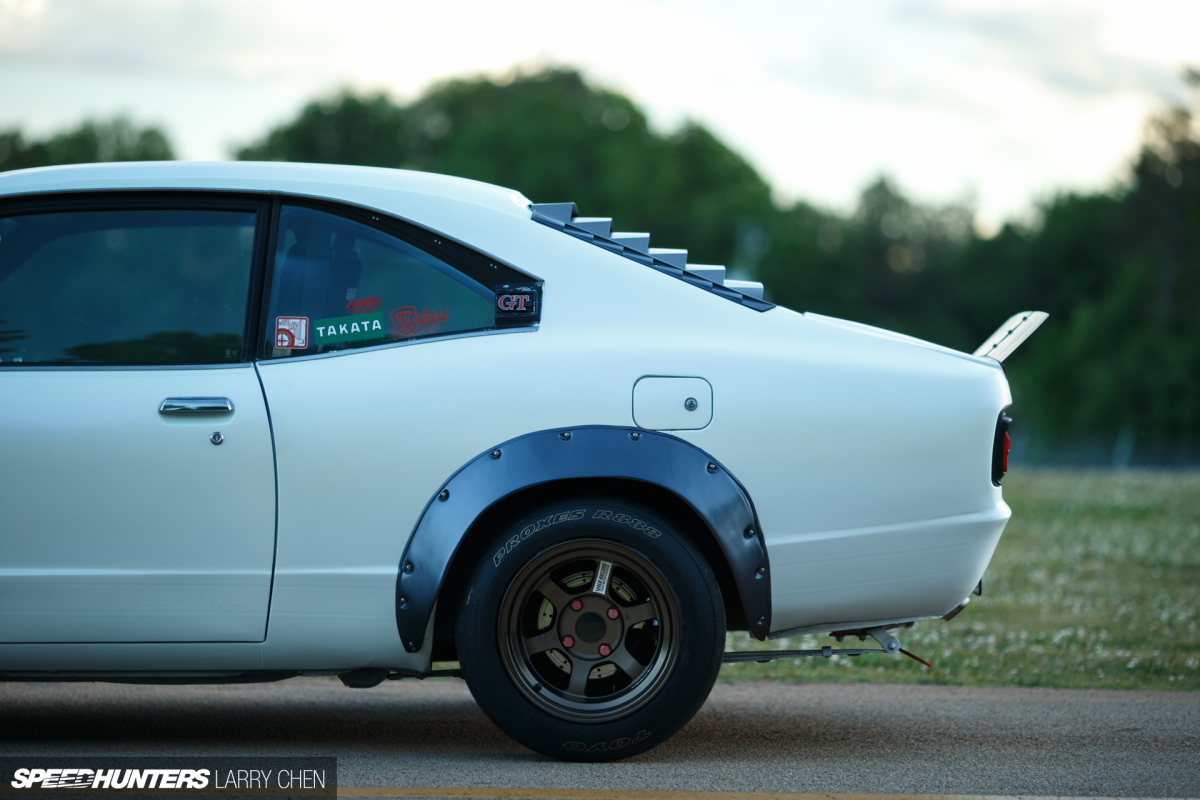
<point x="589" y="631"/>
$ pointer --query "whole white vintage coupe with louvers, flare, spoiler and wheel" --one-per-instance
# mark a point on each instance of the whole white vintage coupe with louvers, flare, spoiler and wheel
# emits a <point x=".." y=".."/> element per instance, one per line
<point x="275" y="420"/>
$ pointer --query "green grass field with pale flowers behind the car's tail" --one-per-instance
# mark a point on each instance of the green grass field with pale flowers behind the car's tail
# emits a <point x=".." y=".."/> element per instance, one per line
<point x="1095" y="585"/>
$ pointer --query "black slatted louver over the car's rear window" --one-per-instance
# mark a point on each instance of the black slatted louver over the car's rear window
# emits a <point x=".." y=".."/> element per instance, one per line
<point x="637" y="246"/>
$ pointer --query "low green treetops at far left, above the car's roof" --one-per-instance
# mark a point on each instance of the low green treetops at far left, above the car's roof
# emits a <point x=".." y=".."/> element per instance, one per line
<point x="117" y="140"/>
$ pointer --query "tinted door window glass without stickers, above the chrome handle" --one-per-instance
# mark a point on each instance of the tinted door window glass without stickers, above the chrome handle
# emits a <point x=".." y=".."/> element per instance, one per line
<point x="125" y="287"/>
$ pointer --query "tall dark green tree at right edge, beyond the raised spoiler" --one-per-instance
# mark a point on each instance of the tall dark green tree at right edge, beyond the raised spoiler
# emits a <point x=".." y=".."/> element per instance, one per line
<point x="1124" y="274"/>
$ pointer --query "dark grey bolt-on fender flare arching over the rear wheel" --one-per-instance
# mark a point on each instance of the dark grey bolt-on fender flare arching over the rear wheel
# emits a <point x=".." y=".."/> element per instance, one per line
<point x="585" y="453"/>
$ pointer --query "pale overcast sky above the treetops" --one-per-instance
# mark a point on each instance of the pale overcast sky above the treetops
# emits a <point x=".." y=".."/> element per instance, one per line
<point x="995" y="103"/>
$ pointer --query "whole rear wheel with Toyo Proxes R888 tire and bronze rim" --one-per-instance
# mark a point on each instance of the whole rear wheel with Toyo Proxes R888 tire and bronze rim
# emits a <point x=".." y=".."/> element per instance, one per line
<point x="583" y="676"/>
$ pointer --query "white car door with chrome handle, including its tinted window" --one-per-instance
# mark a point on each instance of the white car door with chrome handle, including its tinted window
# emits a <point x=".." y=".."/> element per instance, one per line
<point x="137" y="478"/>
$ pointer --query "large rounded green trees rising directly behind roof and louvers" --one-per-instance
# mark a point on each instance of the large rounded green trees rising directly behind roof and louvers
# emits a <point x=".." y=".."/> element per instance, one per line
<point x="553" y="137"/>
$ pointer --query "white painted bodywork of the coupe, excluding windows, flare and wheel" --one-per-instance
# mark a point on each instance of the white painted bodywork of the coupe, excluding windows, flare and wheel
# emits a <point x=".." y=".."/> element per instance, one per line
<point x="133" y="545"/>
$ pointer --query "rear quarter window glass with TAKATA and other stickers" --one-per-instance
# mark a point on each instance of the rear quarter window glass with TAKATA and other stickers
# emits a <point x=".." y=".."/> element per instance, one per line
<point x="340" y="285"/>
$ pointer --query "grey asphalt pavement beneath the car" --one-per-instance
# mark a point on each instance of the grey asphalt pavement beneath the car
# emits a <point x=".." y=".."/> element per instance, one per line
<point x="758" y="737"/>
